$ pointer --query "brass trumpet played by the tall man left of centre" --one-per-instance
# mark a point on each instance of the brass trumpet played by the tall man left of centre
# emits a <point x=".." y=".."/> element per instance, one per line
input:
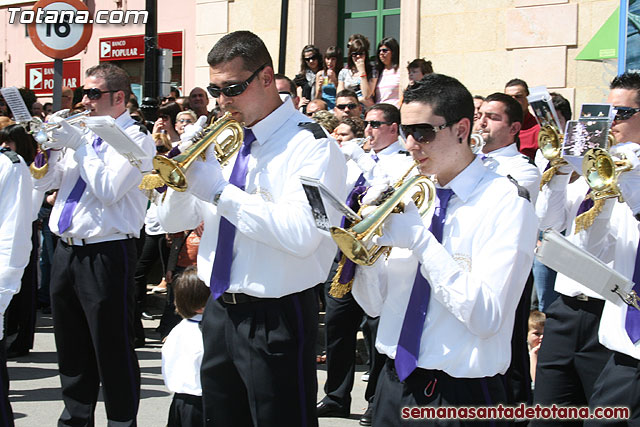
<point x="225" y="133"/>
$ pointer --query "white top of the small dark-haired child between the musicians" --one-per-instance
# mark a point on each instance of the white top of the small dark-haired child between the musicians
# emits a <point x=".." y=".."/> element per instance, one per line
<point x="182" y="357"/>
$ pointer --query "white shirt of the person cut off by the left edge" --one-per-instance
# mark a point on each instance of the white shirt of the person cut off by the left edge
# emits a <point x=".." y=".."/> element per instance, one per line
<point x="15" y="228"/>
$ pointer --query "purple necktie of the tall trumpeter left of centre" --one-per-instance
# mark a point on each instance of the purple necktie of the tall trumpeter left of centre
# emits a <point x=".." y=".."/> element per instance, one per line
<point x="221" y="272"/>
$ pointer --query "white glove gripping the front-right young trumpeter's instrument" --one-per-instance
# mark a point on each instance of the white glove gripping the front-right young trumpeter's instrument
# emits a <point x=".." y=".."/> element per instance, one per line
<point x="403" y="230"/>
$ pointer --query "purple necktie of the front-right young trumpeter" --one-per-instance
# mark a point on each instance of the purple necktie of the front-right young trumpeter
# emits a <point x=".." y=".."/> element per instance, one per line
<point x="409" y="342"/>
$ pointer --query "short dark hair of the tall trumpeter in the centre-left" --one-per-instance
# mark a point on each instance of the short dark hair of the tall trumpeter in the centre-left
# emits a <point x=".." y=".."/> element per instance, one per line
<point x="240" y="44"/>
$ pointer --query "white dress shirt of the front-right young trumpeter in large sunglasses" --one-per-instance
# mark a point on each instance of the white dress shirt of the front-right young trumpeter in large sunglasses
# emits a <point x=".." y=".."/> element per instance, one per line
<point x="476" y="275"/>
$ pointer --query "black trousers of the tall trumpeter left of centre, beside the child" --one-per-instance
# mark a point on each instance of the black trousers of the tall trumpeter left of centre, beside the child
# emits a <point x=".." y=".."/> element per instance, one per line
<point x="259" y="363"/>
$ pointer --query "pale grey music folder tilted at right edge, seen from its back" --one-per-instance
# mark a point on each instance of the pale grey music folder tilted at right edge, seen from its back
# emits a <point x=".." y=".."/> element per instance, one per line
<point x="560" y="254"/>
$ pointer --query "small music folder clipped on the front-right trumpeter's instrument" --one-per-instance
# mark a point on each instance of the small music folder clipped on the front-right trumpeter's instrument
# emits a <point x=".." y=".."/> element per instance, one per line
<point x="319" y="197"/>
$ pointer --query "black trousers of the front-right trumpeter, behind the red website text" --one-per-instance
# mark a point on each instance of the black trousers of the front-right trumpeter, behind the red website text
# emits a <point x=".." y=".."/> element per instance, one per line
<point x="431" y="388"/>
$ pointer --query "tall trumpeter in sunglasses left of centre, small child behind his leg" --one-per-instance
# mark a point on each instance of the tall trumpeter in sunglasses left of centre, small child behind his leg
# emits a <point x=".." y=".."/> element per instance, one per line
<point x="260" y="253"/>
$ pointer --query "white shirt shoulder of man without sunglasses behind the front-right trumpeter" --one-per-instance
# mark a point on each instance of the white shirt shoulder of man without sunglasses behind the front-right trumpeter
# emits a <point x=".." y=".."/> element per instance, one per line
<point x="509" y="161"/>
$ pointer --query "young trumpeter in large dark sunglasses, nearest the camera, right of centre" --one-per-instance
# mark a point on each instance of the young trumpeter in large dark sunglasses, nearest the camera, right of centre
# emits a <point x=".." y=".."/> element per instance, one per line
<point x="447" y="295"/>
